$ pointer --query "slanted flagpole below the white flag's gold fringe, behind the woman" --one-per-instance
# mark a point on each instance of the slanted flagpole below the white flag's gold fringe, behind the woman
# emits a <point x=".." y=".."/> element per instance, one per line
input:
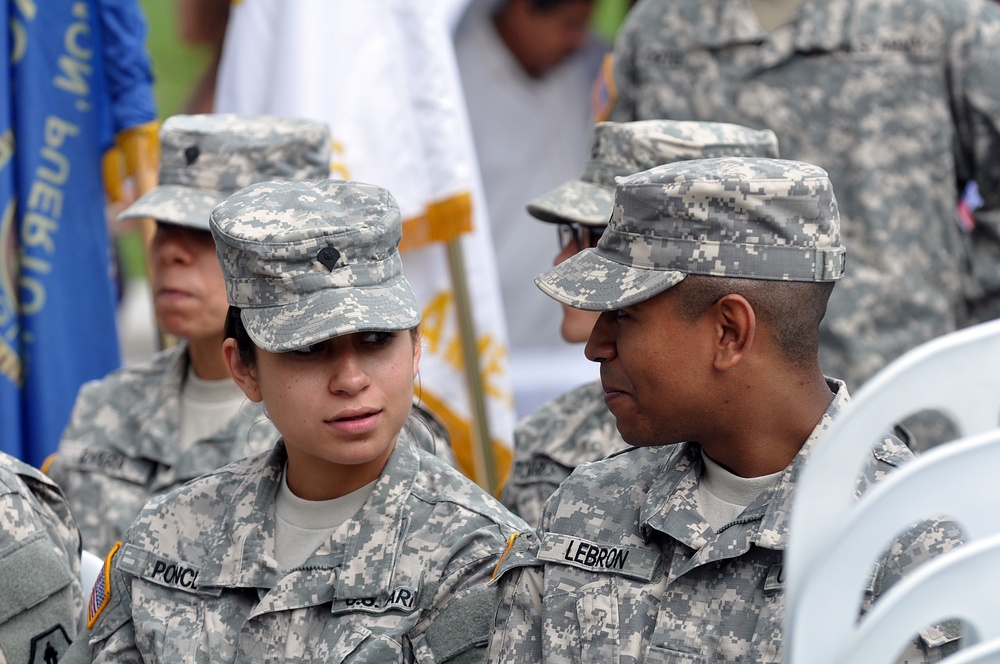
<point x="484" y="466"/>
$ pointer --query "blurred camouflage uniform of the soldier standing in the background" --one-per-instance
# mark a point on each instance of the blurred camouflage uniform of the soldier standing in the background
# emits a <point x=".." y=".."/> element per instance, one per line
<point x="898" y="100"/>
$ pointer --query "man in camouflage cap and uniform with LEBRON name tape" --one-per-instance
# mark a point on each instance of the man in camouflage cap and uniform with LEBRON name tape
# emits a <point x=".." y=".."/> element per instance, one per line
<point x="712" y="279"/>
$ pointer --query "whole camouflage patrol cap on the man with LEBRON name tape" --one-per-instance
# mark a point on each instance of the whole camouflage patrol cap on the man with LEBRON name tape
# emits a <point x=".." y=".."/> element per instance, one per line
<point x="731" y="217"/>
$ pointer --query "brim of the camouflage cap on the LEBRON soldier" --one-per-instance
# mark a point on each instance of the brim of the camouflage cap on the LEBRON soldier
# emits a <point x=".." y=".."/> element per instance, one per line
<point x="589" y="280"/>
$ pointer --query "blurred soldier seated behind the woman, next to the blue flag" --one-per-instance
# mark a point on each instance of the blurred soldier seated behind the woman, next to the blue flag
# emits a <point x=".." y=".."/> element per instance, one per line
<point x="148" y="428"/>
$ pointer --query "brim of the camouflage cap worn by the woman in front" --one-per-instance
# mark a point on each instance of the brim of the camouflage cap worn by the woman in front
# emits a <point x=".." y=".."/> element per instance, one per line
<point x="332" y="312"/>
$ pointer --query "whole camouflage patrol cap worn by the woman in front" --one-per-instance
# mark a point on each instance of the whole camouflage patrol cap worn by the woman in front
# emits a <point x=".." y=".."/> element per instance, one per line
<point x="307" y="262"/>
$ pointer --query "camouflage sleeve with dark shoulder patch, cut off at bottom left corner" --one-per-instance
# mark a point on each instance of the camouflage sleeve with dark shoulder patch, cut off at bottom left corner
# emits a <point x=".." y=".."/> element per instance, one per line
<point x="40" y="611"/>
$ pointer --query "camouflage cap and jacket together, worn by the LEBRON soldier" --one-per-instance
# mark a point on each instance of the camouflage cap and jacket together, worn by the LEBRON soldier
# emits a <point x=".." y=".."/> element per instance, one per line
<point x="626" y="567"/>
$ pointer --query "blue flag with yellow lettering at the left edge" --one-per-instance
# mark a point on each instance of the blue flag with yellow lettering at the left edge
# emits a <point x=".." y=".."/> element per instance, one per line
<point x="57" y="294"/>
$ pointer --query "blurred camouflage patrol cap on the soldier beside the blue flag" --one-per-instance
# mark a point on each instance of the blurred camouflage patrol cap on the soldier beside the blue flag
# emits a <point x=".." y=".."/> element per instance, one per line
<point x="204" y="158"/>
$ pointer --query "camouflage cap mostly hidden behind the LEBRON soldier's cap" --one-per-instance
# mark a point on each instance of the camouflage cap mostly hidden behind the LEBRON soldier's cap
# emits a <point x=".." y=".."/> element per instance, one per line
<point x="622" y="148"/>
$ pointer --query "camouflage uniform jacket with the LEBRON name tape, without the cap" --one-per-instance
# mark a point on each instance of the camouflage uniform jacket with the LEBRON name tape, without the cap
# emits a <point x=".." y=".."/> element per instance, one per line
<point x="628" y="570"/>
